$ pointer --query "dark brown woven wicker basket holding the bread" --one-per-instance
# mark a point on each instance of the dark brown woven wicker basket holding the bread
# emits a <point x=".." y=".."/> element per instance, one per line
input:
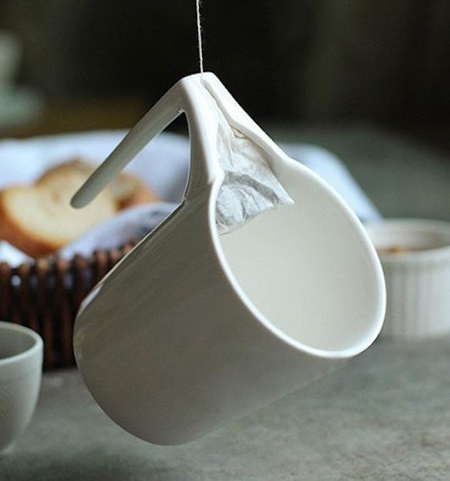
<point x="45" y="295"/>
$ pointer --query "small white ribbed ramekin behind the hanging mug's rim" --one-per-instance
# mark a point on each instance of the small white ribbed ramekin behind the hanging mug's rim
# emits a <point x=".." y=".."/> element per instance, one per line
<point x="415" y="255"/>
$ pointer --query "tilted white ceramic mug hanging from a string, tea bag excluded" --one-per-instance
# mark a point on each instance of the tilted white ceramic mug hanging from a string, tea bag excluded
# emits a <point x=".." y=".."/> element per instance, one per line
<point x="193" y="329"/>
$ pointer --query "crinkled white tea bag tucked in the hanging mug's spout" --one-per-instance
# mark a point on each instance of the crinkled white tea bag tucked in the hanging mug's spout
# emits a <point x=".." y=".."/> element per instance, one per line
<point x="249" y="187"/>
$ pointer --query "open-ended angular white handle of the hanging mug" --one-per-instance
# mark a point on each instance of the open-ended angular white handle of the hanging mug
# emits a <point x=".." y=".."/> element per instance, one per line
<point x="189" y="96"/>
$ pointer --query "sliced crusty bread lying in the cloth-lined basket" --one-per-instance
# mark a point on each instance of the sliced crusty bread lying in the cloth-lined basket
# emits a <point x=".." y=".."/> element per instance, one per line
<point x="38" y="219"/>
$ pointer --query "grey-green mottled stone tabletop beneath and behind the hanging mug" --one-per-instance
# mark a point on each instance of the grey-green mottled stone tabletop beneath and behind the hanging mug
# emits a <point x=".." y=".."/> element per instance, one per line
<point x="385" y="415"/>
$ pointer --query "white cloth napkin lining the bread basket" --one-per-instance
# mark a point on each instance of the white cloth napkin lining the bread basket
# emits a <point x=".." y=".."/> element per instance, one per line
<point x="163" y="164"/>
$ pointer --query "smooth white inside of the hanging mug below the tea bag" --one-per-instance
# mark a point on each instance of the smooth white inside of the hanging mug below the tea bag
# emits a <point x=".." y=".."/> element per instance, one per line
<point x="309" y="269"/>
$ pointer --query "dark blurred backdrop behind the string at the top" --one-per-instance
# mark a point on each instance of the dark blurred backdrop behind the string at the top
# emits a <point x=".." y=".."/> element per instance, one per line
<point x="311" y="62"/>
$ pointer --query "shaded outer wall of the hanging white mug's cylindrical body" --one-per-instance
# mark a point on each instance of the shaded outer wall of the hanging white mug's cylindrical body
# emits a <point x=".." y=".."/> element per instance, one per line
<point x="167" y="346"/>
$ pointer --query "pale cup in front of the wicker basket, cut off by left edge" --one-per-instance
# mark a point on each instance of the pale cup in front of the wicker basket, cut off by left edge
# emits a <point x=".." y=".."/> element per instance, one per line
<point x="21" y="353"/>
